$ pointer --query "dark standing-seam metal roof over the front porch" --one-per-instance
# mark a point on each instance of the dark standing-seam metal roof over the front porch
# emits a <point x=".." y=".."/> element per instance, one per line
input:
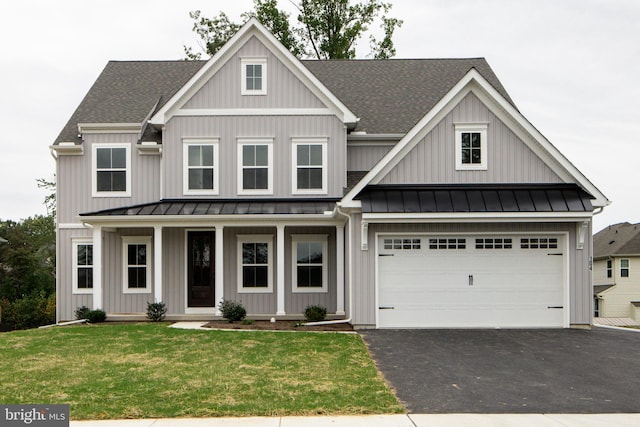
<point x="182" y="207"/>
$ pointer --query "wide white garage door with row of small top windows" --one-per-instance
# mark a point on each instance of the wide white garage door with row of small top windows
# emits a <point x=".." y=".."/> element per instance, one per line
<point x="470" y="281"/>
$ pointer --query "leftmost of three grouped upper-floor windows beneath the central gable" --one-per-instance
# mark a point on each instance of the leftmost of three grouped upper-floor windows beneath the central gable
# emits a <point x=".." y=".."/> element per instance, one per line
<point x="200" y="166"/>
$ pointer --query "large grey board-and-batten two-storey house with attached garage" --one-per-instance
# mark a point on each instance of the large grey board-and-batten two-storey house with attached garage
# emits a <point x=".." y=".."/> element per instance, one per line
<point x="396" y="193"/>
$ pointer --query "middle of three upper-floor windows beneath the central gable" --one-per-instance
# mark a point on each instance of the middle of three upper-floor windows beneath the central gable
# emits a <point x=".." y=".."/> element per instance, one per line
<point x="255" y="175"/>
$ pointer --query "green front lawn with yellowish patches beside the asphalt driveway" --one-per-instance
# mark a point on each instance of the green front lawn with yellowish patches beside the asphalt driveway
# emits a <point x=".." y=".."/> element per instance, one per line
<point x="150" y="370"/>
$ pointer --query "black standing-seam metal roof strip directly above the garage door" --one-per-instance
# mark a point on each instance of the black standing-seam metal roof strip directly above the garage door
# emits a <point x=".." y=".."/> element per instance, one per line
<point x="474" y="198"/>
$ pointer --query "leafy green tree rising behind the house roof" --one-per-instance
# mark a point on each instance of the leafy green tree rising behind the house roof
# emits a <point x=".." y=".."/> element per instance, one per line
<point x="324" y="29"/>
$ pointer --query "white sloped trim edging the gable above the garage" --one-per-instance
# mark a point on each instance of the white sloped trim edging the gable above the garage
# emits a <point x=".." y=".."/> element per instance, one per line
<point x="474" y="82"/>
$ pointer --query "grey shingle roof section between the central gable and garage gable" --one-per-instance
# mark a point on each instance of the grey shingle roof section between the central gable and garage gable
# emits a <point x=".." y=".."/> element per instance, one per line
<point x="392" y="95"/>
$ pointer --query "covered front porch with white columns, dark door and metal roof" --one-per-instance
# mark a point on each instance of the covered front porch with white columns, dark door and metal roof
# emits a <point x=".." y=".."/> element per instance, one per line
<point x="274" y="257"/>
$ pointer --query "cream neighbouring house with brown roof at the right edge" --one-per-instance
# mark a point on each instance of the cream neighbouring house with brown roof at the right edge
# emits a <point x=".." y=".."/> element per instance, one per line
<point x="616" y="271"/>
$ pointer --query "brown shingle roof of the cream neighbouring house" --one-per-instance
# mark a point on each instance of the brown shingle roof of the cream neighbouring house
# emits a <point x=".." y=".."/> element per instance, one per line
<point x="616" y="240"/>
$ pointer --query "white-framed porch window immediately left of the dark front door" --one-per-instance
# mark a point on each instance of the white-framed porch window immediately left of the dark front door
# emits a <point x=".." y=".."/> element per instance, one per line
<point x="136" y="264"/>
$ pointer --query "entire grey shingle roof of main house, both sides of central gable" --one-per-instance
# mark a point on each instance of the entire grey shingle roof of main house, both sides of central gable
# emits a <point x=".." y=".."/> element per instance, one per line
<point x="389" y="96"/>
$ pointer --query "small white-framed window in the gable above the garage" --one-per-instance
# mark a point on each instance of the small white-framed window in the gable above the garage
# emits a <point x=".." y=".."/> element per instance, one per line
<point x="471" y="146"/>
